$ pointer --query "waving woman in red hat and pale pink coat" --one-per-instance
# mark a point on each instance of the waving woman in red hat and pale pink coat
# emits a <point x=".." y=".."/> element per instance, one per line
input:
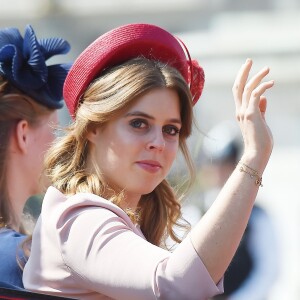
<point x="105" y="219"/>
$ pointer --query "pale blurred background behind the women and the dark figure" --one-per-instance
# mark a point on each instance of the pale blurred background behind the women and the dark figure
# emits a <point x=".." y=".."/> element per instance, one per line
<point x="220" y="34"/>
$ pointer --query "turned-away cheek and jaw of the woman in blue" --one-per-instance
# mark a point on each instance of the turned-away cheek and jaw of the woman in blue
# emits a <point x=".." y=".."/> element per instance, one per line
<point x="41" y="137"/>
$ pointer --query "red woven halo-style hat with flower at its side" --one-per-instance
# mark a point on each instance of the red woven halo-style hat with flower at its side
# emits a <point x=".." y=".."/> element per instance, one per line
<point x="124" y="43"/>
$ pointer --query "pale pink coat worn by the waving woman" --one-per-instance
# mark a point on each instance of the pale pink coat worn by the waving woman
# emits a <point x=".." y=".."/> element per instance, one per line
<point x="85" y="247"/>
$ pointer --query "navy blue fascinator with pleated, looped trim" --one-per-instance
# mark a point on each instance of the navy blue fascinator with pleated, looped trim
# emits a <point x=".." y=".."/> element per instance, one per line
<point x="23" y="64"/>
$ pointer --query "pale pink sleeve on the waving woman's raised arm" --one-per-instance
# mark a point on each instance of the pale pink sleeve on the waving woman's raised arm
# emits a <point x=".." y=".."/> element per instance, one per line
<point x="107" y="256"/>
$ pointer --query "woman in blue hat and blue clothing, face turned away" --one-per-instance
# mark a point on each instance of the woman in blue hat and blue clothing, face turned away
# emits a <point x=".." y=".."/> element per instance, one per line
<point x="30" y="94"/>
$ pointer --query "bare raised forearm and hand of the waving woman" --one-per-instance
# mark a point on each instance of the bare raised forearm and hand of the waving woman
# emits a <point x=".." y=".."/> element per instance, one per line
<point x="217" y="235"/>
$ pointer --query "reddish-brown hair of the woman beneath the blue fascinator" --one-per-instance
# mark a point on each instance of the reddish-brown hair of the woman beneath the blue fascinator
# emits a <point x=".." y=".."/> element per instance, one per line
<point x="14" y="106"/>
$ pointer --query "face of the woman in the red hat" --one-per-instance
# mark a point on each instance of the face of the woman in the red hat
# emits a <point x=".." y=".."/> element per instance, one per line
<point x="136" y="150"/>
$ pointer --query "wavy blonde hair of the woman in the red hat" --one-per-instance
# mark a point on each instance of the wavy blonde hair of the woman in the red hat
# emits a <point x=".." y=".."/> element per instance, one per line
<point x="107" y="96"/>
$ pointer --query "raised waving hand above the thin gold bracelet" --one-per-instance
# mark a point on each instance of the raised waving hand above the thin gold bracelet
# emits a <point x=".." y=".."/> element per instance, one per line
<point x="251" y="106"/>
